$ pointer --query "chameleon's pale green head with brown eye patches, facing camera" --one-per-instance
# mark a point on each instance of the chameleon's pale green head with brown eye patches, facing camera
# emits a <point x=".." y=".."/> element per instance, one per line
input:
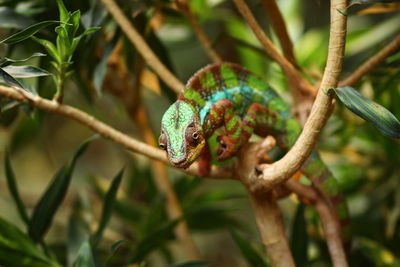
<point x="181" y="134"/>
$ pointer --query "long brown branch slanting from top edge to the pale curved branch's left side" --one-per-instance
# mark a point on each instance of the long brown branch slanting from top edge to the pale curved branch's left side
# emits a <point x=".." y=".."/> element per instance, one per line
<point x="300" y="87"/>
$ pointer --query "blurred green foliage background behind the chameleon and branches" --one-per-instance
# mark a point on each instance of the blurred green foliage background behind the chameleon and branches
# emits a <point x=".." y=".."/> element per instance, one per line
<point x="84" y="218"/>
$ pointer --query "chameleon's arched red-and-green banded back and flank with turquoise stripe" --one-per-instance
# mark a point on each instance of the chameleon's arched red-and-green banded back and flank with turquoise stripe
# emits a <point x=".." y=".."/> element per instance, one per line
<point x="232" y="82"/>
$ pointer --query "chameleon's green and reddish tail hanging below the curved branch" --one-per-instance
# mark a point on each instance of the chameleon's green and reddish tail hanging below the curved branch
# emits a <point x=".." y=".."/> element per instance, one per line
<point x="324" y="182"/>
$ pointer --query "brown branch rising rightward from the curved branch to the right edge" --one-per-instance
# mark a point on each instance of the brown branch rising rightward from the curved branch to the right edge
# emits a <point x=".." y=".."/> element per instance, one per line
<point x="372" y="63"/>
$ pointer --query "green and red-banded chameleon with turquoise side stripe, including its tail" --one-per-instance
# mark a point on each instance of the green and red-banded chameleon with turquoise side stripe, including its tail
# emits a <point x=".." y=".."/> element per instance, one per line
<point x="227" y="96"/>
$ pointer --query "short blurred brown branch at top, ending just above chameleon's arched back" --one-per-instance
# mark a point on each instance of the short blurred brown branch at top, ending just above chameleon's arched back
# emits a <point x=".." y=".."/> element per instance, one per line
<point x="184" y="7"/>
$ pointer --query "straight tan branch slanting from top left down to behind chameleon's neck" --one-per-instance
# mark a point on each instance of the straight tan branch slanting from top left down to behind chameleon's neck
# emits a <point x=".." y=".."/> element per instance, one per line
<point x="142" y="47"/>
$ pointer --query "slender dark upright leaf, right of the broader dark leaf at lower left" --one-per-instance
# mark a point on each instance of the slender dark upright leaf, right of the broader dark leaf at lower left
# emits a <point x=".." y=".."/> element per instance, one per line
<point x="108" y="207"/>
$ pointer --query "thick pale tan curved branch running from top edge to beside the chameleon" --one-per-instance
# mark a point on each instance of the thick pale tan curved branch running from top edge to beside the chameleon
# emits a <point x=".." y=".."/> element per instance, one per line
<point x="278" y="172"/>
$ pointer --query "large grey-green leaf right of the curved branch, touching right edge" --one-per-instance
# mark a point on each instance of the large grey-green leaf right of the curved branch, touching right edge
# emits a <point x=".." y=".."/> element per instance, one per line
<point x="370" y="111"/>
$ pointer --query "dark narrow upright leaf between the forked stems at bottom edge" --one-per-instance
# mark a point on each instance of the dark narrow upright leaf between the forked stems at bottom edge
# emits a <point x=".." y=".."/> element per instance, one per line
<point x="299" y="237"/>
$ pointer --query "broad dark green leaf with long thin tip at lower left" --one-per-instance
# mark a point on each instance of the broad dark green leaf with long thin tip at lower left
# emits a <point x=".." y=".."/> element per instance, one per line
<point x="51" y="200"/>
